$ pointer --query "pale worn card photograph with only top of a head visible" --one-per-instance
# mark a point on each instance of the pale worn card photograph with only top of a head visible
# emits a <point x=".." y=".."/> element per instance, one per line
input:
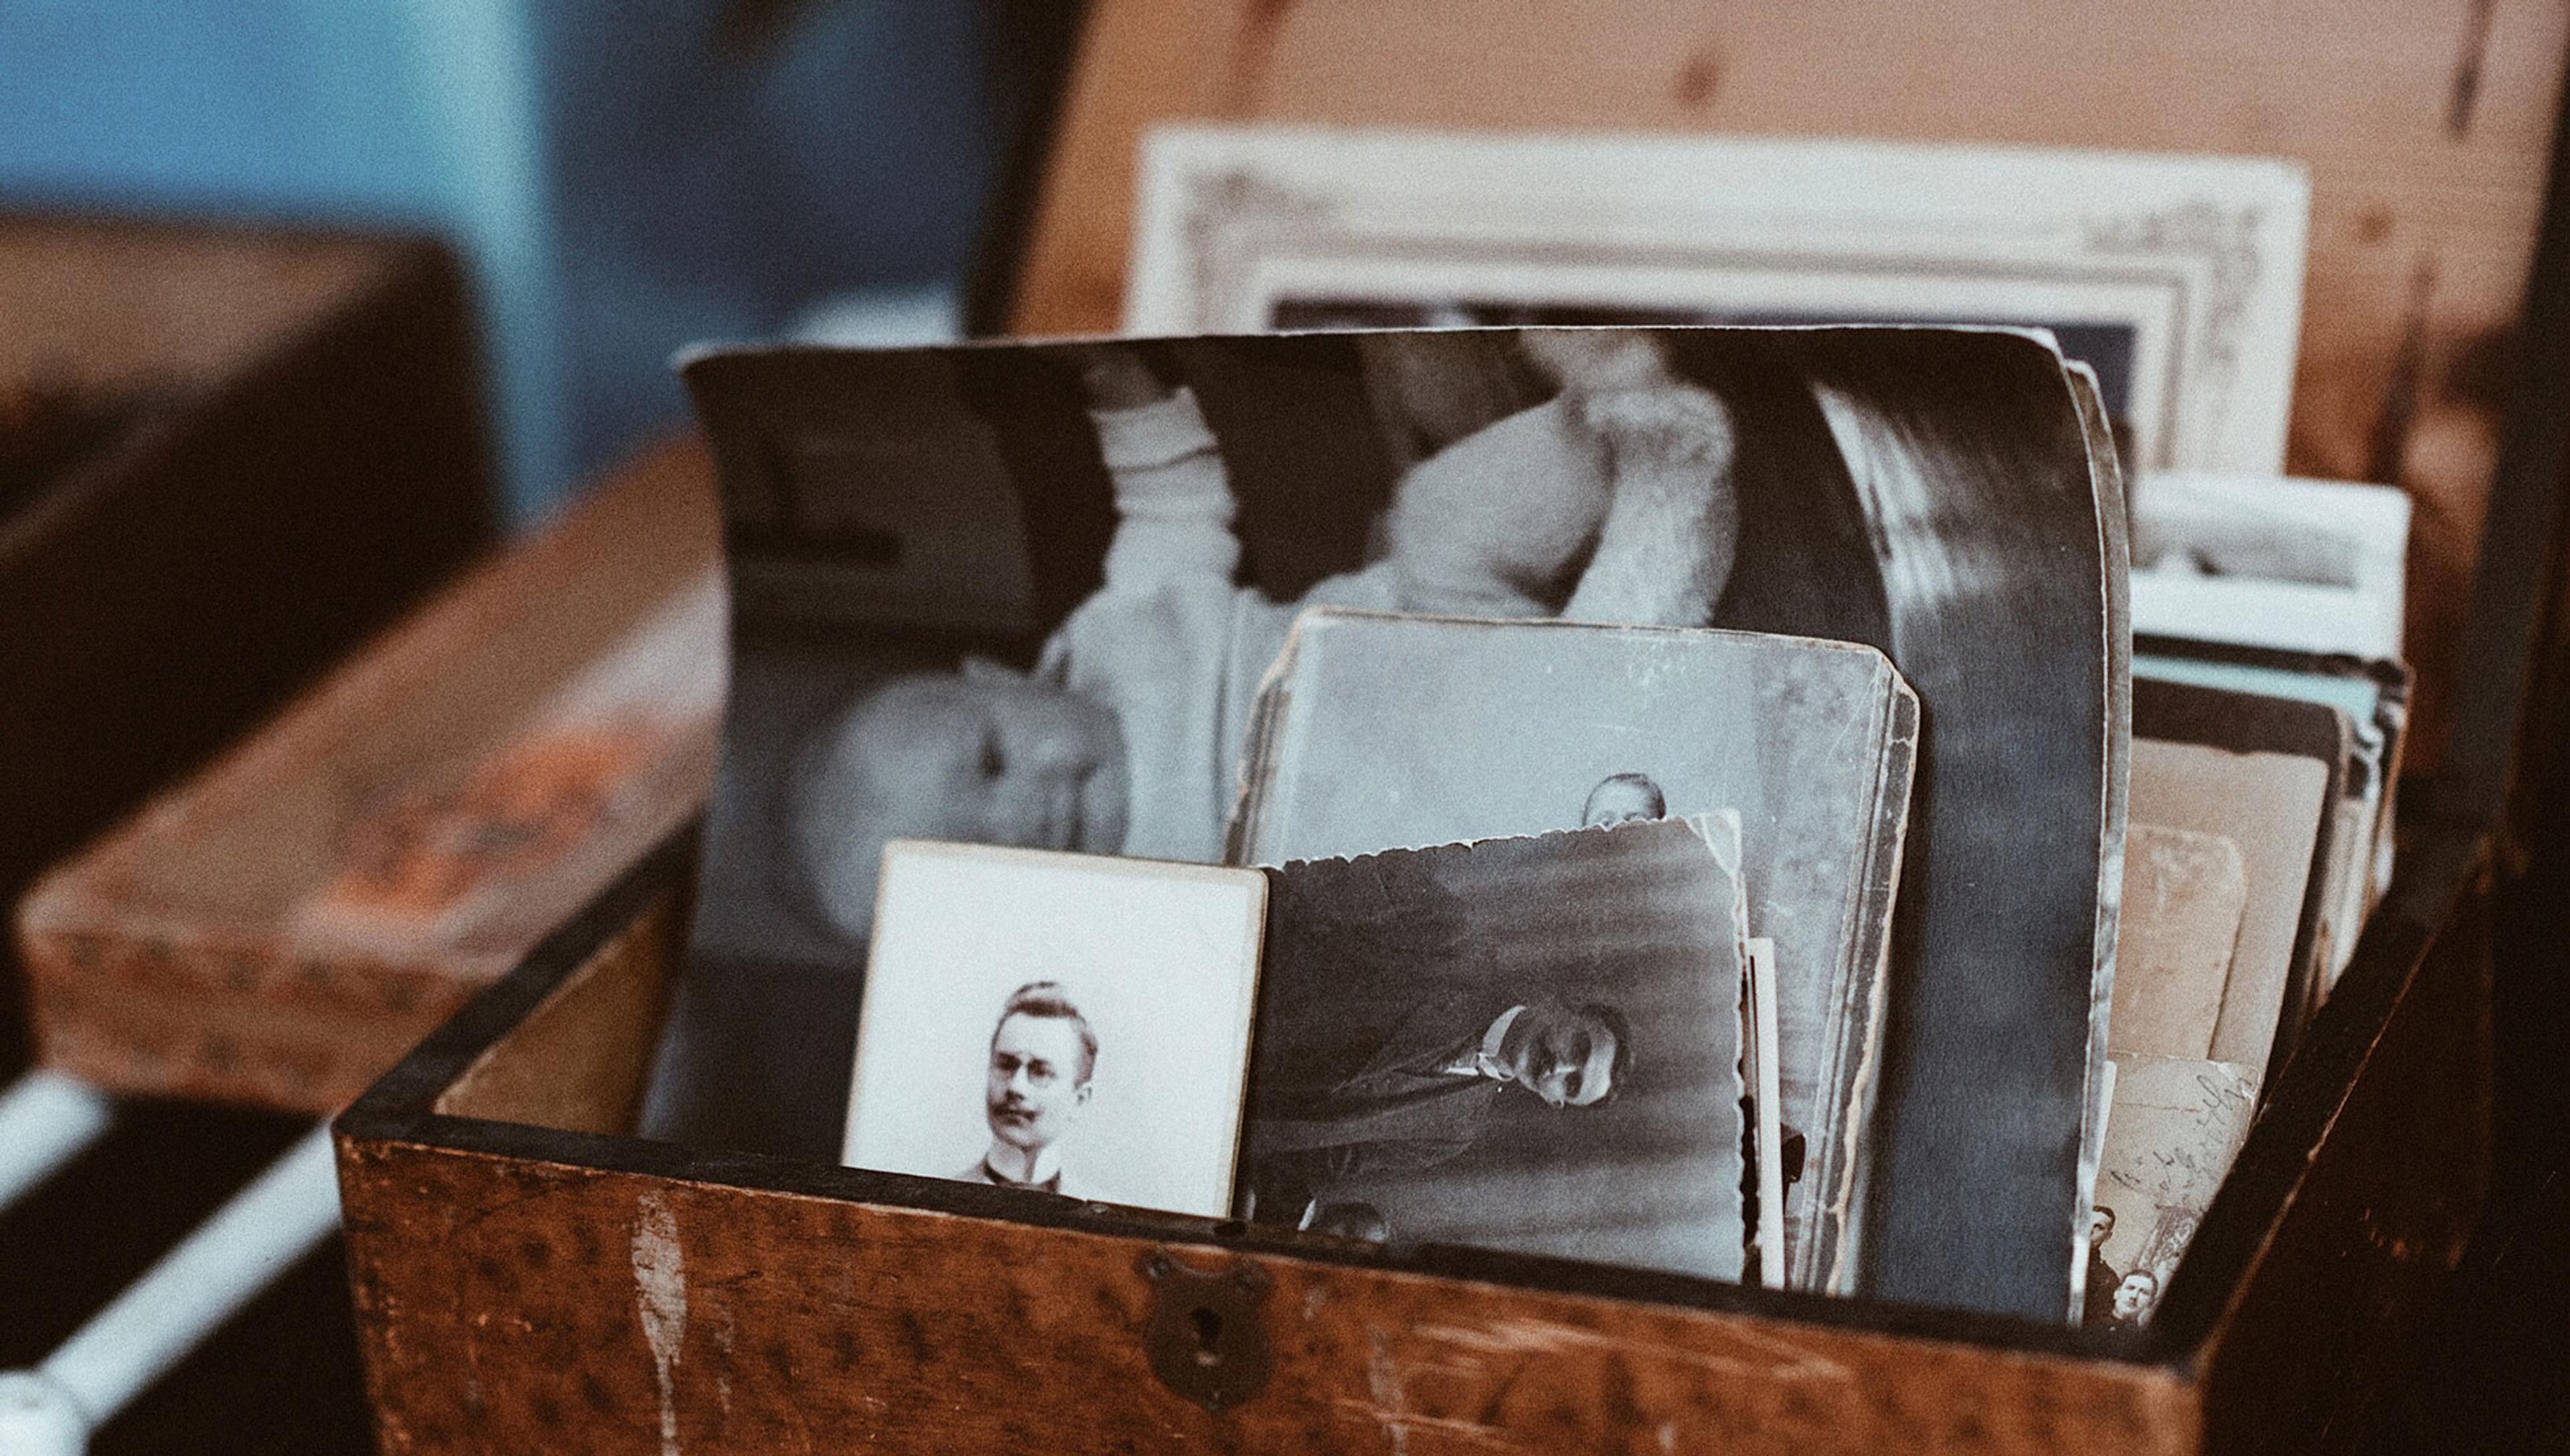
<point x="1515" y="728"/>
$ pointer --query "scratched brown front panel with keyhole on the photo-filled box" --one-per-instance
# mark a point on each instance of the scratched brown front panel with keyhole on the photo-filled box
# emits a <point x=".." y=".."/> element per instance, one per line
<point x="508" y="1308"/>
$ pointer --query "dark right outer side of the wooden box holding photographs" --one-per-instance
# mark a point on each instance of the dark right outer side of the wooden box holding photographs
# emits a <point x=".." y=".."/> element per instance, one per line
<point x="2363" y="1180"/>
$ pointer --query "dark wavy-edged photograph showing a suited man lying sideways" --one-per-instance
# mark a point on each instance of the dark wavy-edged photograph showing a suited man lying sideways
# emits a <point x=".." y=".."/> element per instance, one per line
<point x="1520" y="1044"/>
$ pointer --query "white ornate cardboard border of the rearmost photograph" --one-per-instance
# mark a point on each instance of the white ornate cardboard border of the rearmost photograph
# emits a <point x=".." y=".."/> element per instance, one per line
<point x="2201" y="258"/>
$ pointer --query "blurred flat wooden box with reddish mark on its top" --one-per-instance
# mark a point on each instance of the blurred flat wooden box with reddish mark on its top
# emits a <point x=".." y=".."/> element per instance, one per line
<point x="184" y="954"/>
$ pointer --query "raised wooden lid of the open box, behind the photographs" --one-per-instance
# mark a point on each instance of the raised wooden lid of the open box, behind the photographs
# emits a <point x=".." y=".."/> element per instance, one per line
<point x="2425" y="125"/>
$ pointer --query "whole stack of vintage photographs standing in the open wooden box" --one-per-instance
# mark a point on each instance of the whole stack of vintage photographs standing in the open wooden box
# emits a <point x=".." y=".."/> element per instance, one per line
<point x="1746" y="774"/>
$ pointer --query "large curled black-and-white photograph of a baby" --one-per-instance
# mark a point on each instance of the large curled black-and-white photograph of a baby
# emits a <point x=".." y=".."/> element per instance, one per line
<point x="1127" y="530"/>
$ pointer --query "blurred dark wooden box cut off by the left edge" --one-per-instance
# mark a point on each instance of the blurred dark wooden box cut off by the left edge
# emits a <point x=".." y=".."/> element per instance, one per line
<point x="294" y="456"/>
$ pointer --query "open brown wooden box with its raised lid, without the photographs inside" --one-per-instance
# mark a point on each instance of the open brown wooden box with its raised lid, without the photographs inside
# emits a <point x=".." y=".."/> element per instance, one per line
<point x="528" y="1275"/>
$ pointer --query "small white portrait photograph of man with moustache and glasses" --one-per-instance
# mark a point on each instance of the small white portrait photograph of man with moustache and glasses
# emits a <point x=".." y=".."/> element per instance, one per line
<point x="1060" y="1023"/>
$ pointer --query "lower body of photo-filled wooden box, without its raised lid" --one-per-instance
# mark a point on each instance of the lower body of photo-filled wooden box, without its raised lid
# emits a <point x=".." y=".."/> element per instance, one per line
<point x="526" y="1272"/>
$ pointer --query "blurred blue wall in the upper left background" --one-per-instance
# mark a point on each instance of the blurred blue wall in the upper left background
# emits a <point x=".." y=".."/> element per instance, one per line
<point x="618" y="181"/>
